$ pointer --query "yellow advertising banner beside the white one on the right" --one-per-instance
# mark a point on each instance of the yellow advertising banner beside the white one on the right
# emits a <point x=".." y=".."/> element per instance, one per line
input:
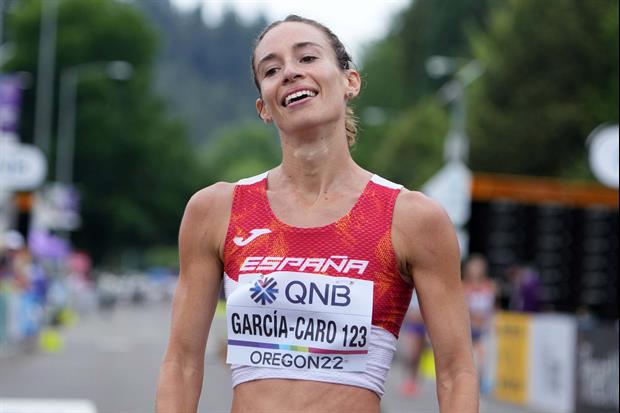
<point x="512" y="332"/>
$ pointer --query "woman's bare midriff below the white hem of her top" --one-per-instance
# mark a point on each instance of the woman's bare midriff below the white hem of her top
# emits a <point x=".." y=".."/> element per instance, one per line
<point x="301" y="396"/>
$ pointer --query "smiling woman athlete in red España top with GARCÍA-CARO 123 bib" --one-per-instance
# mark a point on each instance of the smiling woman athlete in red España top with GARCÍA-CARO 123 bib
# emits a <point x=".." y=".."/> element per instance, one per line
<point x="318" y="257"/>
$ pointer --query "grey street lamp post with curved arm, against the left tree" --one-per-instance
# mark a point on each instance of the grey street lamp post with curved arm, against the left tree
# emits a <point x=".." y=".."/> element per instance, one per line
<point x="117" y="70"/>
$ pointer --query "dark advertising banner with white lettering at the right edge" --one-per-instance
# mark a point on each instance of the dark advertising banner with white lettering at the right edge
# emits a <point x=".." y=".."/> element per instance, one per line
<point x="597" y="370"/>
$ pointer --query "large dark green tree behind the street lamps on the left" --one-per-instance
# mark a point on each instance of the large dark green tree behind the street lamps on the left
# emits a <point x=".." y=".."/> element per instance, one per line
<point x="133" y="165"/>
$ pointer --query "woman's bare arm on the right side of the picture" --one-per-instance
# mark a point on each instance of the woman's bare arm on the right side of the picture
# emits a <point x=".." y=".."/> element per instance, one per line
<point x="425" y="239"/>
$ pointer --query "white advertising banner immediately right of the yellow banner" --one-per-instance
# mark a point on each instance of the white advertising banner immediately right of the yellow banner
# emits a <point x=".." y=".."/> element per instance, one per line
<point x="553" y="342"/>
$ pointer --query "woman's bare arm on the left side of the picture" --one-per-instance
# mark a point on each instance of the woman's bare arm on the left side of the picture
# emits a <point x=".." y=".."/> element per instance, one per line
<point x="201" y="239"/>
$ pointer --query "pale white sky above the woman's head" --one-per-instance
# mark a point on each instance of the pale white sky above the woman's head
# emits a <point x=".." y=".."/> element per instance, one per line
<point x="355" y="22"/>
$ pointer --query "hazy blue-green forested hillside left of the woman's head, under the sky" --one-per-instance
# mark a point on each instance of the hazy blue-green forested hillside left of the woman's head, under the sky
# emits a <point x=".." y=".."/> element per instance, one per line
<point x="204" y="70"/>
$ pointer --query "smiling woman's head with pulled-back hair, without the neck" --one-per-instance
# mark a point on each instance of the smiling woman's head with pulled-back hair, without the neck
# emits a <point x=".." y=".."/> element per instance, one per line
<point x="300" y="81"/>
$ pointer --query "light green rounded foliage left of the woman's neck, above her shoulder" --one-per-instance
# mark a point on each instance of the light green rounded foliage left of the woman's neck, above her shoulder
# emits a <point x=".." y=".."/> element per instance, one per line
<point x="241" y="152"/>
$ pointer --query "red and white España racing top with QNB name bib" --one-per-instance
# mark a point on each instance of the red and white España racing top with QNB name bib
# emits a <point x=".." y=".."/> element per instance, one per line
<point x="311" y="299"/>
